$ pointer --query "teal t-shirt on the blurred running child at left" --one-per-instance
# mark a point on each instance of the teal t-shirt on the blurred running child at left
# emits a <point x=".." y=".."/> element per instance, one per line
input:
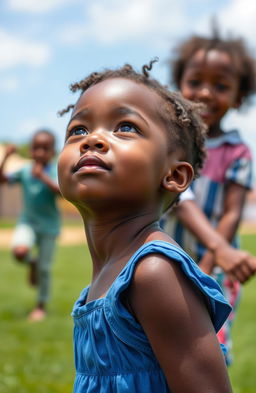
<point x="40" y="209"/>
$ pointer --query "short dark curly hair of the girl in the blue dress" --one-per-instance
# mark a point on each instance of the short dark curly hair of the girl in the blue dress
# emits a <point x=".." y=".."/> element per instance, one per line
<point x="180" y="116"/>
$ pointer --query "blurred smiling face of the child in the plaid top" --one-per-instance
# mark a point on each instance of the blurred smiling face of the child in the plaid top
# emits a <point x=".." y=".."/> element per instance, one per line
<point x="210" y="78"/>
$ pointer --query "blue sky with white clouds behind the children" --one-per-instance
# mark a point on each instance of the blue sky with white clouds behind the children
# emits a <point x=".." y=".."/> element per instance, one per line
<point x="45" y="45"/>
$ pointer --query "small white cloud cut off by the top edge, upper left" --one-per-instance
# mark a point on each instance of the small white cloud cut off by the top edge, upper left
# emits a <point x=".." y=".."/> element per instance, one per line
<point x="37" y="6"/>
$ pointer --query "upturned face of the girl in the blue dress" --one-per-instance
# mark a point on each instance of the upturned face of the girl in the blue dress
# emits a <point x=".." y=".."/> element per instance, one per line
<point x="116" y="148"/>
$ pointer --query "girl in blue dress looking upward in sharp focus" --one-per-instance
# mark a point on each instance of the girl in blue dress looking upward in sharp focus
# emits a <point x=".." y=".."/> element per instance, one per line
<point x="147" y="321"/>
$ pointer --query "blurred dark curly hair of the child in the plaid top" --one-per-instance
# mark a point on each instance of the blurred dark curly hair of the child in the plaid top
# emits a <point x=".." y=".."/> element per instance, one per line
<point x="242" y="60"/>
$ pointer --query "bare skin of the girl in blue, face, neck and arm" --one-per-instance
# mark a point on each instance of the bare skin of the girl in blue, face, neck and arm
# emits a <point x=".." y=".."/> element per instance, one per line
<point x="116" y="167"/>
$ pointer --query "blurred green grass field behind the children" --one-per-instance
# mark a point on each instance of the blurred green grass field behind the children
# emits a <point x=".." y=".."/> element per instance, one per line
<point x="38" y="358"/>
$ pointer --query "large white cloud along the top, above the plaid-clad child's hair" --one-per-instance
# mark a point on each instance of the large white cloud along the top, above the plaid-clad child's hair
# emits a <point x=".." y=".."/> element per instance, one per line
<point x="155" y="22"/>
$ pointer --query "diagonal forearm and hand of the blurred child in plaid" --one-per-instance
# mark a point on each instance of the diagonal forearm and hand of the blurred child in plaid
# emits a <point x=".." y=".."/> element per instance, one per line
<point x="237" y="264"/>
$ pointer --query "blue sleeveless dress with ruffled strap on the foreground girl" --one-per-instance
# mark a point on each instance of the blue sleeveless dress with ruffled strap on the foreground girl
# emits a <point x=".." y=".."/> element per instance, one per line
<point x="112" y="352"/>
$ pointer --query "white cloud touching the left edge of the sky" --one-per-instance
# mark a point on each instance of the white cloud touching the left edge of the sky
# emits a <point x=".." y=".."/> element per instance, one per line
<point x="16" y="51"/>
